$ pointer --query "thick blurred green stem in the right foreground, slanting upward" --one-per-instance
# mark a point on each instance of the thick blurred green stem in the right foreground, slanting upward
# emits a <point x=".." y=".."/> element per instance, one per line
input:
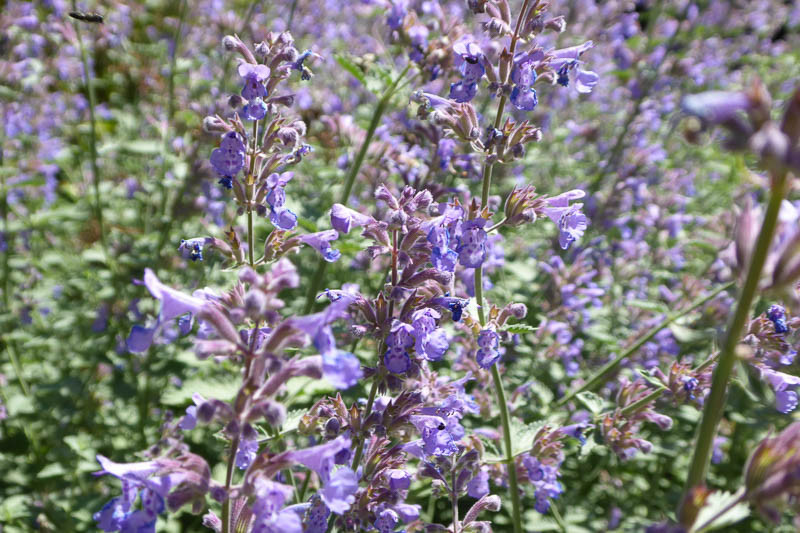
<point x="715" y="403"/>
